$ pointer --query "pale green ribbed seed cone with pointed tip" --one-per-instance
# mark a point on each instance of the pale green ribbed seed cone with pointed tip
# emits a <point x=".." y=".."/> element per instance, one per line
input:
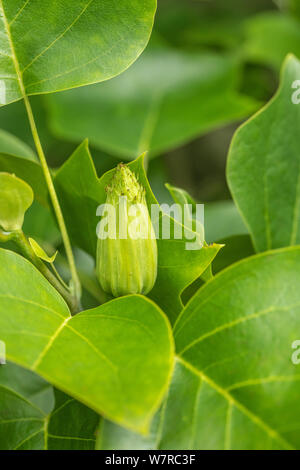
<point x="126" y="249"/>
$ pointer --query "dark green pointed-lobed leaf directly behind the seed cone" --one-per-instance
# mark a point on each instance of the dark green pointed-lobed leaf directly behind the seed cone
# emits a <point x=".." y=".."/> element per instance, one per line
<point x="81" y="192"/>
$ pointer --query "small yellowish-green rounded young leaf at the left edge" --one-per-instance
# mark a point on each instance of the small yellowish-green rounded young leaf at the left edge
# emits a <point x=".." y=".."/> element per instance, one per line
<point x="16" y="197"/>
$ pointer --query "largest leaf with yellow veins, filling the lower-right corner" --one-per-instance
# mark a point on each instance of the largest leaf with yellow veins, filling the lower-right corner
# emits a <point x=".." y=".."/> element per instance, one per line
<point x="234" y="385"/>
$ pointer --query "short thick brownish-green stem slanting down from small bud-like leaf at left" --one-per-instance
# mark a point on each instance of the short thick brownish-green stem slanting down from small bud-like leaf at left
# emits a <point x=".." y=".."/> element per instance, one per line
<point x="19" y="238"/>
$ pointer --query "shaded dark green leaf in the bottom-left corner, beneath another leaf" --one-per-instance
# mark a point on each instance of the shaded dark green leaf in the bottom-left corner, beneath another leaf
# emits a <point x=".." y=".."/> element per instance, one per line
<point x="35" y="417"/>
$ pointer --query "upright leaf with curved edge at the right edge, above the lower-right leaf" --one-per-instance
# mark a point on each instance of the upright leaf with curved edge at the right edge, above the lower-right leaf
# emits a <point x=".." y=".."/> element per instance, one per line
<point x="263" y="168"/>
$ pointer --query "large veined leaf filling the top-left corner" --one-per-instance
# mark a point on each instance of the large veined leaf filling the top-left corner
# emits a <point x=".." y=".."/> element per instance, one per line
<point x="73" y="44"/>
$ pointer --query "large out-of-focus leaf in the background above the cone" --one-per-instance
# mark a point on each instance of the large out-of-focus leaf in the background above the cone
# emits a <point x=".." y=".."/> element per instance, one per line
<point x="165" y="99"/>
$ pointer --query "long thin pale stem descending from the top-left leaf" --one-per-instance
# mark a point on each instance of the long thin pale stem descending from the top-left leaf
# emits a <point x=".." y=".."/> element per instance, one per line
<point x="55" y="202"/>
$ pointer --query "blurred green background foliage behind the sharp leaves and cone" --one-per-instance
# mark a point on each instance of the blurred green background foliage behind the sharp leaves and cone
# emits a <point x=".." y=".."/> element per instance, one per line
<point x="210" y="65"/>
